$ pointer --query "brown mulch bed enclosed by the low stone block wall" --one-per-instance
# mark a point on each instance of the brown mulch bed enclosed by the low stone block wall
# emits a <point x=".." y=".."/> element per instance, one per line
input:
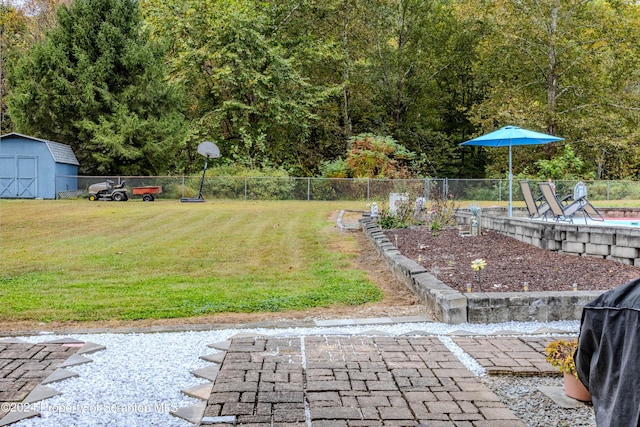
<point x="509" y="262"/>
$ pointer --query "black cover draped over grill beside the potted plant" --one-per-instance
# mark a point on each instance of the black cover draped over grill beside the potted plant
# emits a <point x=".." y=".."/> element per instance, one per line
<point x="608" y="355"/>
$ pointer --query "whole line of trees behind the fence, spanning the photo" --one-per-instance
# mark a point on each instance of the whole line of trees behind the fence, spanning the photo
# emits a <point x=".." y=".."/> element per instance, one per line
<point x="380" y="88"/>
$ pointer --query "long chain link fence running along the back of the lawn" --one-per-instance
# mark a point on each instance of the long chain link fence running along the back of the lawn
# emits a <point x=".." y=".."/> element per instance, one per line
<point x="273" y="188"/>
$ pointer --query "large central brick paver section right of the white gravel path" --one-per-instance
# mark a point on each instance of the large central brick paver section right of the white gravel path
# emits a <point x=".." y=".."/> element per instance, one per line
<point x="351" y="381"/>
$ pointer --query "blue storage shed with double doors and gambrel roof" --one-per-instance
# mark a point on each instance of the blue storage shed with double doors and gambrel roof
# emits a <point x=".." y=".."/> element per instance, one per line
<point x="34" y="168"/>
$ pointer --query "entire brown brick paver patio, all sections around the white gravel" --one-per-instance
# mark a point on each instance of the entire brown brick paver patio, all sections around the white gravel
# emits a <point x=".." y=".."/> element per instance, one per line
<point x="328" y="380"/>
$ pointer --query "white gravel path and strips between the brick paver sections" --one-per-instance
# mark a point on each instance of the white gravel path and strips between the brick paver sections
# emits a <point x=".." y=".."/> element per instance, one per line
<point x="136" y="380"/>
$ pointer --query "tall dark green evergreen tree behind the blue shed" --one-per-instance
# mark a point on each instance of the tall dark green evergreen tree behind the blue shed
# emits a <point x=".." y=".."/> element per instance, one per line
<point x="97" y="83"/>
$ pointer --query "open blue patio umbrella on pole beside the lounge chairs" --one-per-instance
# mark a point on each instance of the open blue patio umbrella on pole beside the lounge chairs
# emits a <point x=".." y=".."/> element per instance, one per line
<point x="509" y="136"/>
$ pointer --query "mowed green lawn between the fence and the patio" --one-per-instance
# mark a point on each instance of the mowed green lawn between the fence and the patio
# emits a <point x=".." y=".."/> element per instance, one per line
<point x="81" y="261"/>
